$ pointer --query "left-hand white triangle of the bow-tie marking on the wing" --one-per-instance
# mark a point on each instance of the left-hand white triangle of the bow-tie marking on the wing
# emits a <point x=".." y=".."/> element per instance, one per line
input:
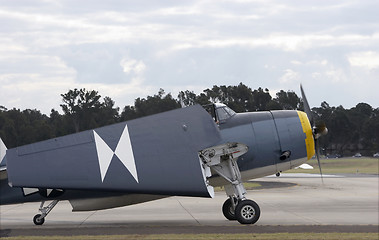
<point x="104" y="153"/>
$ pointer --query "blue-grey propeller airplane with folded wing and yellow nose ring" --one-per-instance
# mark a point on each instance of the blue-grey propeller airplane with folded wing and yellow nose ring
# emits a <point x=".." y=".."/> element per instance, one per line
<point x="183" y="152"/>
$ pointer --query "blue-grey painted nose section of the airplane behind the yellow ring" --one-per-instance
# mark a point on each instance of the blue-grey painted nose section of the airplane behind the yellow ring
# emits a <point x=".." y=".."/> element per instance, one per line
<point x="267" y="134"/>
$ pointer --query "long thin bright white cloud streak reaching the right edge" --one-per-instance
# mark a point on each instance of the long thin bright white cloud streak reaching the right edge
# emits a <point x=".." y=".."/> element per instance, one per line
<point x="282" y="41"/>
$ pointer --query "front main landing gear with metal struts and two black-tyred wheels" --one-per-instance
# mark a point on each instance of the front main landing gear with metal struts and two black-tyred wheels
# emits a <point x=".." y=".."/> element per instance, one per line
<point x="222" y="160"/>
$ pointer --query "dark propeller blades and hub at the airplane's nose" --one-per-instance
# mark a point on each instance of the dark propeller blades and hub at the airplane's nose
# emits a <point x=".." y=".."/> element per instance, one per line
<point x="318" y="128"/>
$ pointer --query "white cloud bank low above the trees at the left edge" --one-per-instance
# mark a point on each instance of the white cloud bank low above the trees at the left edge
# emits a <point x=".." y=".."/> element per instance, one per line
<point x="44" y="93"/>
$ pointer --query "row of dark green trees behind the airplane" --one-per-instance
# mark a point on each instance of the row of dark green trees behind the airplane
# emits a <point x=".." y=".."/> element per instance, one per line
<point x="350" y="130"/>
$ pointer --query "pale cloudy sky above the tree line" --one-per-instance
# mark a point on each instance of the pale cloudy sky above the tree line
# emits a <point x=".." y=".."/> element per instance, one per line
<point x="129" y="49"/>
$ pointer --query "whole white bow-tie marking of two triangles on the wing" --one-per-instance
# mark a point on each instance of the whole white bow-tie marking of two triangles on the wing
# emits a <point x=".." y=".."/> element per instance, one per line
<point x="124" y="152"/>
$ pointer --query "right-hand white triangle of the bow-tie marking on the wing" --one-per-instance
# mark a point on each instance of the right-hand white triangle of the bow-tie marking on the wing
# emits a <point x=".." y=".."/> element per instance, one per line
<point x="124" y="152"/>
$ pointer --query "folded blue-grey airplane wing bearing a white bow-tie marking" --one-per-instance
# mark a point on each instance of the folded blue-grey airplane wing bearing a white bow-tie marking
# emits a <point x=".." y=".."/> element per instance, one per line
<point x="157" y="154"/>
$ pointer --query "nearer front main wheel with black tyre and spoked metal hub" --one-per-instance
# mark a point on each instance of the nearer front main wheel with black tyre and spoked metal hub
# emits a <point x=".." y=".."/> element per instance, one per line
<point x="247" y="212"/>
